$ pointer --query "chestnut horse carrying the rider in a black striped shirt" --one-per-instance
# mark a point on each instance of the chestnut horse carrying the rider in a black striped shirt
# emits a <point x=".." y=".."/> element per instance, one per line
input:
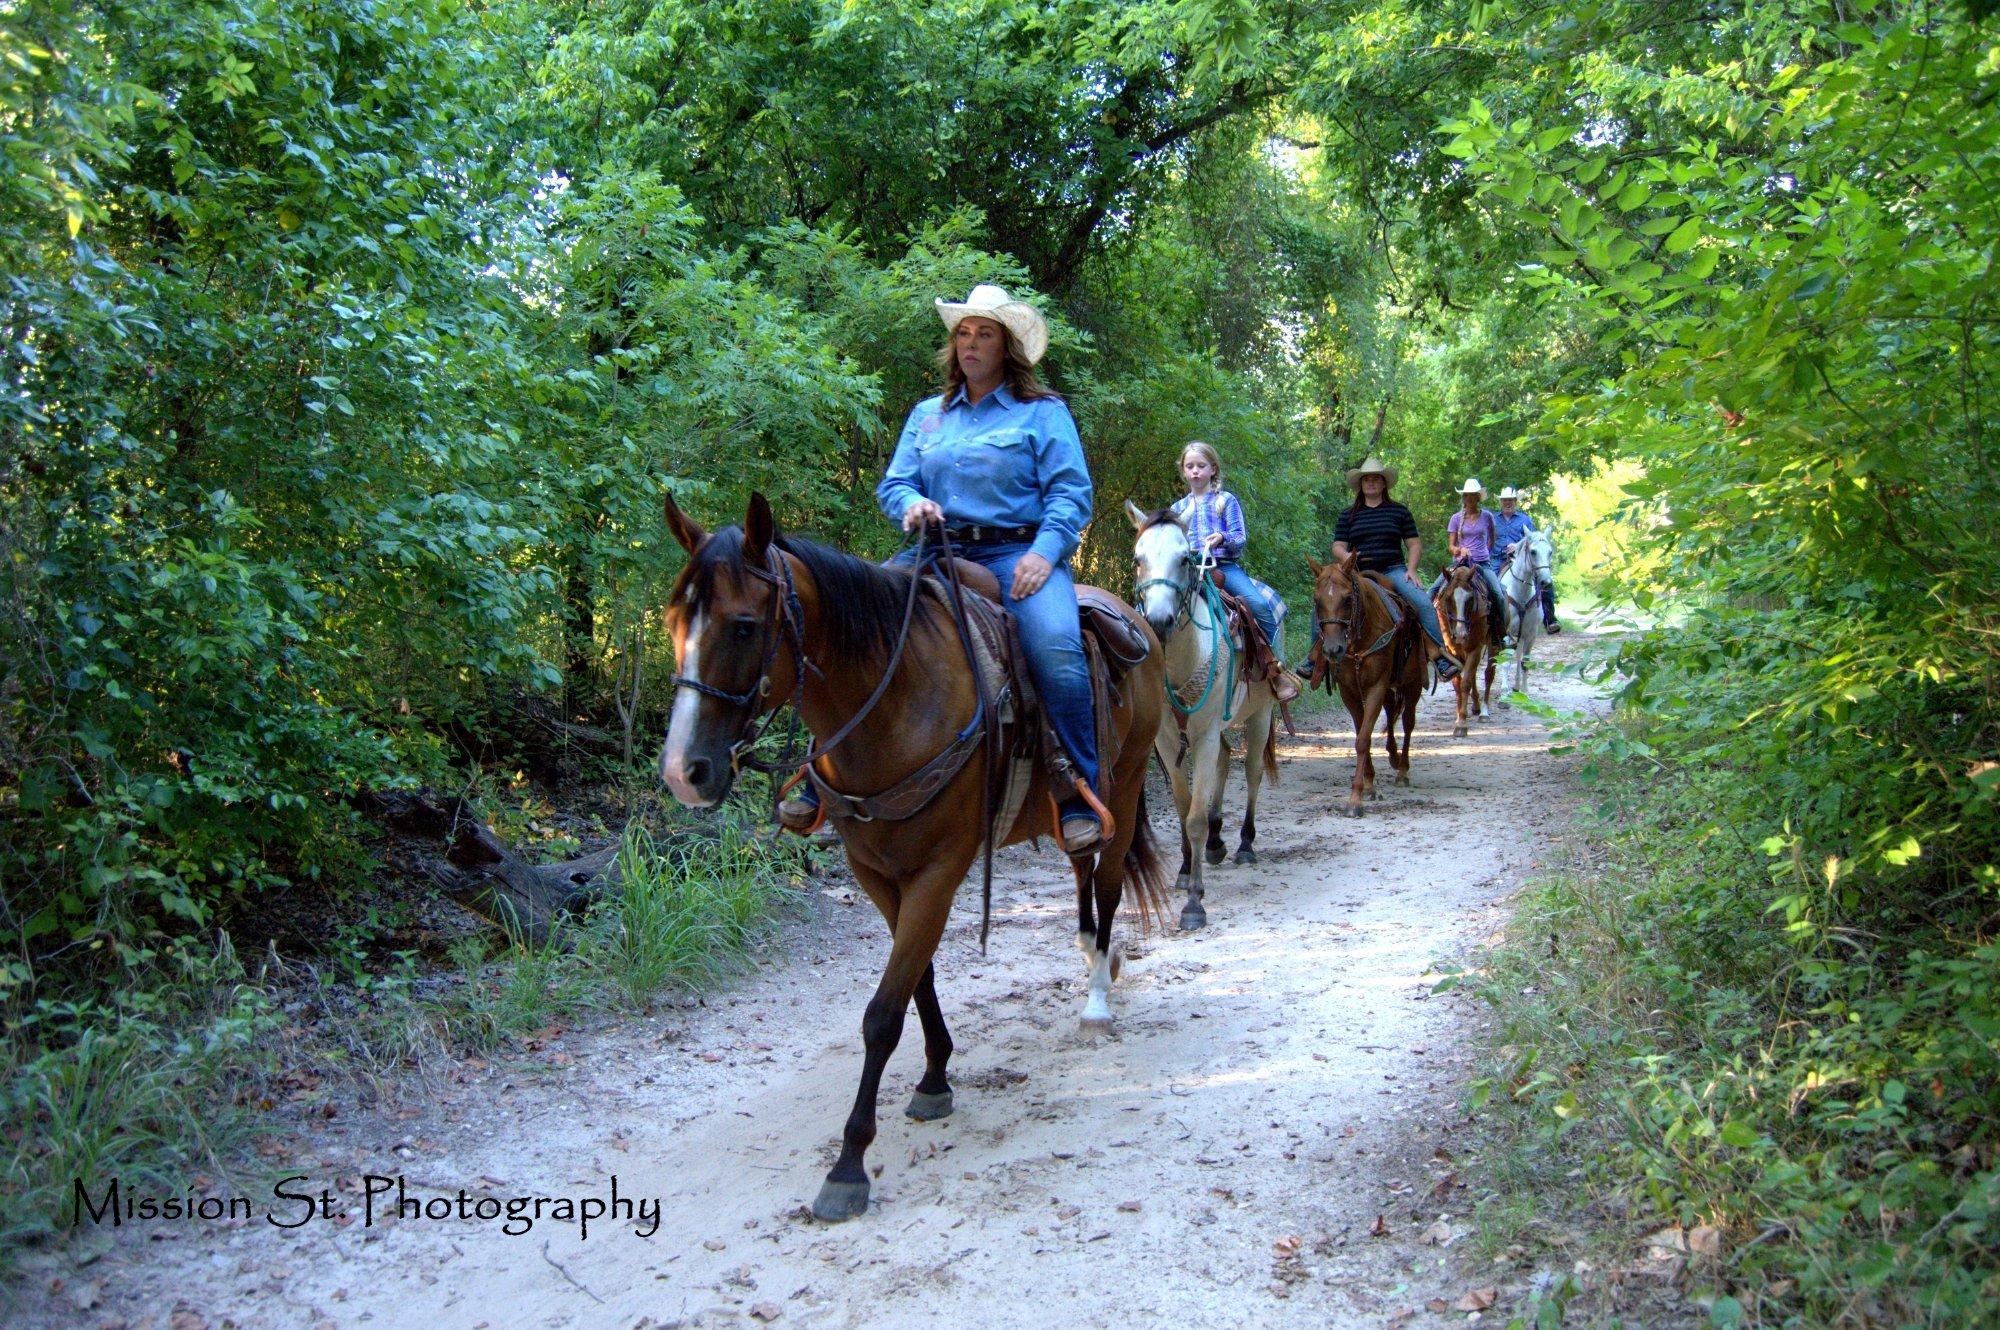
<point x="1377" y="659"/>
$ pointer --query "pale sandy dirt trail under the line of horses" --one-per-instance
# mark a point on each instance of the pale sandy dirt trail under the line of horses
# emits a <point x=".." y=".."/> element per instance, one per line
<point x="1277" y="1083"/>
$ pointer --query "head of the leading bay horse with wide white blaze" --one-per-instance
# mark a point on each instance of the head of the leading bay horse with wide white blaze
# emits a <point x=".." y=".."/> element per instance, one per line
<point x="731" y="611"/>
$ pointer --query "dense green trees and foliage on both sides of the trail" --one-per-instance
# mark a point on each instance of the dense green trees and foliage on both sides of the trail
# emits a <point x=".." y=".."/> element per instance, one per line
<point x="349" y="349"/>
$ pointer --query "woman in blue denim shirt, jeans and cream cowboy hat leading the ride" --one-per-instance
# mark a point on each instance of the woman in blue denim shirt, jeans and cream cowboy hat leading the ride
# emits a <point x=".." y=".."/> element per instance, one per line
<point x="999" y="463"/>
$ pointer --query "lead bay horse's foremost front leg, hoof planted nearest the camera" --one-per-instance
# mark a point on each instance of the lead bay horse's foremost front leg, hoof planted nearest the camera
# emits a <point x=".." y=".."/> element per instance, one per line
<point x="919" y="921"/>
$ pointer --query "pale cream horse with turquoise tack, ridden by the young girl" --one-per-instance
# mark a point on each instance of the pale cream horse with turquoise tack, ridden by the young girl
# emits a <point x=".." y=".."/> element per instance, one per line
<point x="1205" y="693"/>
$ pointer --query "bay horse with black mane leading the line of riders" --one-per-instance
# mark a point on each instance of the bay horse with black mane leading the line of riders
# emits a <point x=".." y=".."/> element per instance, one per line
<point x="873" y="655"/>
